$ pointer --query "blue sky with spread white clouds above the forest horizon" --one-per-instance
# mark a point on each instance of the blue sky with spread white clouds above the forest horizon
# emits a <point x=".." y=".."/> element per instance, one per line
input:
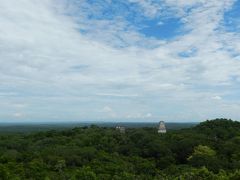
<point x="119" y="60"/>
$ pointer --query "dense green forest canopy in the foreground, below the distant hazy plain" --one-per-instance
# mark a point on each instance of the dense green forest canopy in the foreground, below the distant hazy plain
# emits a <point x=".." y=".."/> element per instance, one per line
<point x="211" y="150"/>
